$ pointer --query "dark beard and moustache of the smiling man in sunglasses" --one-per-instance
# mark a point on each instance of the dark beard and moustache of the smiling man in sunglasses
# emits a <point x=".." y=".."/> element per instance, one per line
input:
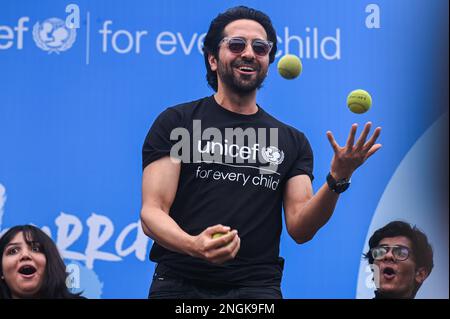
<point x="241" y="84"/>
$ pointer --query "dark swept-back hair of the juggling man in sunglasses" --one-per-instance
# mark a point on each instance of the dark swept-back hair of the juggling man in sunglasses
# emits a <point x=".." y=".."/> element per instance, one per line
<point x="215" y="35"/>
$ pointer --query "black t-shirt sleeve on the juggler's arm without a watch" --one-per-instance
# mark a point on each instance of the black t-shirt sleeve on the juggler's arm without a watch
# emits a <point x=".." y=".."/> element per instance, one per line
<point x="157" y="143"/>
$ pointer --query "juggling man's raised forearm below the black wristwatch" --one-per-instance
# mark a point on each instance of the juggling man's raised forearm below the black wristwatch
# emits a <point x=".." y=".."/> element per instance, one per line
<point x="314" y="214"/>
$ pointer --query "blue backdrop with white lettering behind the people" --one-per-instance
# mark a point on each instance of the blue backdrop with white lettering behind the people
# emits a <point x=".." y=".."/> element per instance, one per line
<point x="76" y="104"/>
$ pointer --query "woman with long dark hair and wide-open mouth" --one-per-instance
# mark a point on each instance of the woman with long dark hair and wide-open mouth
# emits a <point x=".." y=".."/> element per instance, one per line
<point x="31" y="266"/>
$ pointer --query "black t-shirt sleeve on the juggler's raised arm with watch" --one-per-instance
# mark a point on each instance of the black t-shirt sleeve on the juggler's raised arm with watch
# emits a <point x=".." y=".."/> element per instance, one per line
<point x="304" y="162"/>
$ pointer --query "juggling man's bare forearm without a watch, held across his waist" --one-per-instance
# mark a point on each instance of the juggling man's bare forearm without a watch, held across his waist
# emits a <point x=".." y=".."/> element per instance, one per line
<point x="165" y="231"/>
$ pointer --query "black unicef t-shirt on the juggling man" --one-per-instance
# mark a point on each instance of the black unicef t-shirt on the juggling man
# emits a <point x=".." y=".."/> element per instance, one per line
<point x="234" y="180"/>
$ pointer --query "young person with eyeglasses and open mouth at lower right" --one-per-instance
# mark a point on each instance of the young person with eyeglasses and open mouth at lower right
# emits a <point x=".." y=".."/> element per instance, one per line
<point x="402" y="259"/>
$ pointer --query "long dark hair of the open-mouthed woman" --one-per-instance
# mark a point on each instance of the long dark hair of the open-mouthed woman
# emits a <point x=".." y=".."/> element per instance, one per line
<point x="54" y="281"/>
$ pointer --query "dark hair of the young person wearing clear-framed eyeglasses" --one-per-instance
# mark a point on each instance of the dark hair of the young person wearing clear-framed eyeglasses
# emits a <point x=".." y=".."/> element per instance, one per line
<point x="421" y="248"/>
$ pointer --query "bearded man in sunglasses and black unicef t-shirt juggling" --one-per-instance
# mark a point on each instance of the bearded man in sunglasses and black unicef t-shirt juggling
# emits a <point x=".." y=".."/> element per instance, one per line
<point x="214" y="213"/>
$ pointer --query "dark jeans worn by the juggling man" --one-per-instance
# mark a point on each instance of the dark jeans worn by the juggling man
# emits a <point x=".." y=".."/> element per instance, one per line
<point x="169" y="286"/>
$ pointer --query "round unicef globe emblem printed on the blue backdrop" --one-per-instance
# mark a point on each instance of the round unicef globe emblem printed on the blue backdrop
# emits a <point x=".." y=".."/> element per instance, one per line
<point x="53" y="35"/>
